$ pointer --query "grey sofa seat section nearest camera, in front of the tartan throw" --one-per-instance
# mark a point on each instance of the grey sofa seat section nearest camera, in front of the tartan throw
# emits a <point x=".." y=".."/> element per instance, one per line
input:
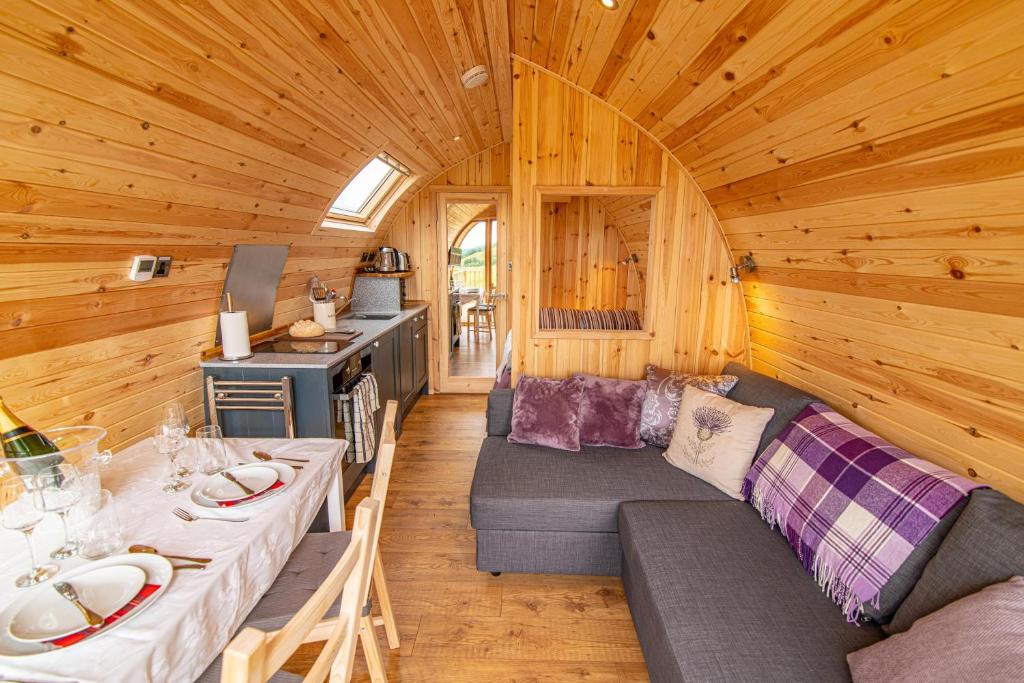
<point x="717" y="599"/>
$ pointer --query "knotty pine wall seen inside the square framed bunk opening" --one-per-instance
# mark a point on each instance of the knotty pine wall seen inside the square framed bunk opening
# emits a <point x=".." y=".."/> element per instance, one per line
<point x="582" y="254"/>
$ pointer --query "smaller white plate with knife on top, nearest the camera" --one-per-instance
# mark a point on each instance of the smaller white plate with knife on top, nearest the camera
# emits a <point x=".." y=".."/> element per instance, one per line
<point x="50" y="616"/>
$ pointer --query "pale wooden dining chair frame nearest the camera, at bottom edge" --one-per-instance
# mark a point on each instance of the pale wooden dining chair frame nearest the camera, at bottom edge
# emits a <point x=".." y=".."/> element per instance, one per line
<point x="257" y="657"/>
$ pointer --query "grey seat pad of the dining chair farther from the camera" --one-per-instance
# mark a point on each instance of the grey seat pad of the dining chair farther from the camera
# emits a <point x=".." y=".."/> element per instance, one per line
<point x="310" y="565"/>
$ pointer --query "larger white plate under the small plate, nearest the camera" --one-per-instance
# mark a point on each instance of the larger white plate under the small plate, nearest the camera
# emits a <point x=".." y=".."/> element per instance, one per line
<point x="156" y="570"/>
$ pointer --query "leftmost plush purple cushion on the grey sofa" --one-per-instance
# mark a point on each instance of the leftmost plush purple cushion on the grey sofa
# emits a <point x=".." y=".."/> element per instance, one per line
<point x="547" y="413"/>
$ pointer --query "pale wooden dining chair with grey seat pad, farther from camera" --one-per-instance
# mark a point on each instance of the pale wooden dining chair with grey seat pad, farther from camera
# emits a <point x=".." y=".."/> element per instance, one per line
<point x="315" y="559"/>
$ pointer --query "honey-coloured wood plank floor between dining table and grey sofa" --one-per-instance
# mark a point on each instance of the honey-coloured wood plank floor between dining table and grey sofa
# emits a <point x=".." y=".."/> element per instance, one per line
<point x="461" y="625"/>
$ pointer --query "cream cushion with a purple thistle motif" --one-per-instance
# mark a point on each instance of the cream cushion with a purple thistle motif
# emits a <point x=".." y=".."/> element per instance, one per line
<point x="716" y="440"/>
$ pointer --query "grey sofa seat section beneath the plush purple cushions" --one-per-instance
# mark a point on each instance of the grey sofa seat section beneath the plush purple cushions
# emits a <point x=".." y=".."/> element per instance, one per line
<point x="529" y="488"/>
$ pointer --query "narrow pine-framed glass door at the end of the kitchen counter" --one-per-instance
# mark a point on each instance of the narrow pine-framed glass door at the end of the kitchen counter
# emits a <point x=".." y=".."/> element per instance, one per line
<point x="473" y="301"/>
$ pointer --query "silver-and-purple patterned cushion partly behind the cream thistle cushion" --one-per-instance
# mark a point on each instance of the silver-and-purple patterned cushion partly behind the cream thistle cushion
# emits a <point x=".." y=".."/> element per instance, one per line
<point x="665" y="391"/>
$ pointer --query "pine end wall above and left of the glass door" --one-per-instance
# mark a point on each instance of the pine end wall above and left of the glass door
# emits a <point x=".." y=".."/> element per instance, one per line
<point x="415" y="231"/>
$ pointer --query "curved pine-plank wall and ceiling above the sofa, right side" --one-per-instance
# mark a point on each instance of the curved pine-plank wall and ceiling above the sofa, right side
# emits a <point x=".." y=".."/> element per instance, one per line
<point x="871" y="156"/>
